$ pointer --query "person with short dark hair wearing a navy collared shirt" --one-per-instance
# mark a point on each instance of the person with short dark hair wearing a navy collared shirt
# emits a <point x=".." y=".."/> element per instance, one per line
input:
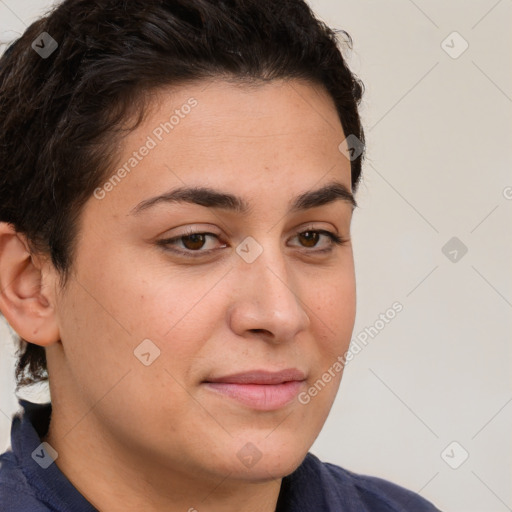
<point x="176" y="197"/>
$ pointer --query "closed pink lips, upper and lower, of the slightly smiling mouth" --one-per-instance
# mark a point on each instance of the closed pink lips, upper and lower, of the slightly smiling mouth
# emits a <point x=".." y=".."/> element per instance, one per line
<point x="259" y="389"/>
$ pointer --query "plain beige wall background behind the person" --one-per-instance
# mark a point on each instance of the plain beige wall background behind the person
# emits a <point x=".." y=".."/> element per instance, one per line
<point x="438" y="126"/>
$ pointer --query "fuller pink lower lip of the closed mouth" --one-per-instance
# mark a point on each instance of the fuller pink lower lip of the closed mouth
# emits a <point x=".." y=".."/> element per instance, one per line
<point x="264" y="397"/>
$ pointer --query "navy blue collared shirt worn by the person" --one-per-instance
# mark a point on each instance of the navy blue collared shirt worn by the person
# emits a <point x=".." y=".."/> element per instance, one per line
<point x="315" y="486"/>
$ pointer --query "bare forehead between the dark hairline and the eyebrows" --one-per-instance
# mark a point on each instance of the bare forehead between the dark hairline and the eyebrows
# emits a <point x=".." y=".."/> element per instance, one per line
<point x="280" y="135"/>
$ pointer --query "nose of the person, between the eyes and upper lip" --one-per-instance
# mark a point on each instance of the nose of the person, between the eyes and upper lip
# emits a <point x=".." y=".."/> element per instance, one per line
<point x="267" y="300"/>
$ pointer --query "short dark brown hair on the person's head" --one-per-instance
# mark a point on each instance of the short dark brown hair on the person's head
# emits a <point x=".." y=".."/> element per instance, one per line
<point x="62" y="113"/>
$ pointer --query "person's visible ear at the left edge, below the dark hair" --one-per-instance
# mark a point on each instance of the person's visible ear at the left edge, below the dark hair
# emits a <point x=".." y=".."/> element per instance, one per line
<point x="27" y="285"/>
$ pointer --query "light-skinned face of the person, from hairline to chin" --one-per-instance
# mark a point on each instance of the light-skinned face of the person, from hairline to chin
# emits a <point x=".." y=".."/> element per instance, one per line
<point x="147" y="326"/>
